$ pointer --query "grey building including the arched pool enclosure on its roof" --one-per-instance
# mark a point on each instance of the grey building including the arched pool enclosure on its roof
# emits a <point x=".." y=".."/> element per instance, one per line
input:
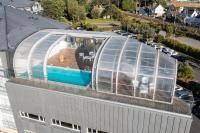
<point x="94" y="82"/>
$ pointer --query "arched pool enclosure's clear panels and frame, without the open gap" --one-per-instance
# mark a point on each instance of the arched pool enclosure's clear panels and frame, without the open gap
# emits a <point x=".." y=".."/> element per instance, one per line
<point x="125" y="59"/>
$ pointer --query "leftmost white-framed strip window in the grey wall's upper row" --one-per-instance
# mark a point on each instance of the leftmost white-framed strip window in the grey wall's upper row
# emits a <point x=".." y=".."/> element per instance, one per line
<point x="32" y="116"/>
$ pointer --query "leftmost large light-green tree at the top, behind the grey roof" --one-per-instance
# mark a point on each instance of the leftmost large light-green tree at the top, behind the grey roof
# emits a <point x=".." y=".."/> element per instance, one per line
<point x="53" y="8"/>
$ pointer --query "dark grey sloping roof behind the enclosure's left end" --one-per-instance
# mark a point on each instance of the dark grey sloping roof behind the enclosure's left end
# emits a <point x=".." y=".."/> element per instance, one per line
<point x="21" y="24"/>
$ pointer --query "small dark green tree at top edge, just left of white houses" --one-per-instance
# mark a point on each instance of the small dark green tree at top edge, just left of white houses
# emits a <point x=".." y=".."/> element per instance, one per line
<point x="129" y="5"/>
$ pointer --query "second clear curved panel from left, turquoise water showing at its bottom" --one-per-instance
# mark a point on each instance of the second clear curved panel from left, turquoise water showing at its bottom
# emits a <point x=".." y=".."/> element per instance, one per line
<point x="39" y="53"/>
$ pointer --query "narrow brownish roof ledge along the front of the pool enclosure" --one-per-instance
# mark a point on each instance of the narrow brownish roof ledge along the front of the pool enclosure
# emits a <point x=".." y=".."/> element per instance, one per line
<point x="178" y="106"/>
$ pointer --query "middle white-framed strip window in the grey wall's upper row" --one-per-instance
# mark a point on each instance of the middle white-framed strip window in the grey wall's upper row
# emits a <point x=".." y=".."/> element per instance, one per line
<point x="65" y="125"/>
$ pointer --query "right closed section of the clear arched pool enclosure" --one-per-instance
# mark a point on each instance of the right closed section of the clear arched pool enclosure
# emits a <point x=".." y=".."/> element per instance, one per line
<point x="127" y="67"/>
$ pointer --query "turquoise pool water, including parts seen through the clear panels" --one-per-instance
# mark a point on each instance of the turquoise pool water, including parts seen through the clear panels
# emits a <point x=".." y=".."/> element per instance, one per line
<point x="70" y="76"/>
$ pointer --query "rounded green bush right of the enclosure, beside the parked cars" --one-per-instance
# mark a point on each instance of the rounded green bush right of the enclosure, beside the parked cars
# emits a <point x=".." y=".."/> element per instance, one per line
<point x="185" y="72"/>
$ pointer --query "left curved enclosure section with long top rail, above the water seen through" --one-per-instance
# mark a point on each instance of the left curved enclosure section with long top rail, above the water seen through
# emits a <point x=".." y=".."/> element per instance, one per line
<point x="38" y="46"/>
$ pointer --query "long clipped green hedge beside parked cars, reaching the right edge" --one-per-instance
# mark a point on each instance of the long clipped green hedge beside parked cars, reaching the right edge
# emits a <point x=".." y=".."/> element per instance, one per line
<point x="176" y="45"/>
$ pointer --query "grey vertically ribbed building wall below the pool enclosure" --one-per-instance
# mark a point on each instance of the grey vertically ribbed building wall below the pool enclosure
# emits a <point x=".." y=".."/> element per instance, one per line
<point x="87" y="113"/>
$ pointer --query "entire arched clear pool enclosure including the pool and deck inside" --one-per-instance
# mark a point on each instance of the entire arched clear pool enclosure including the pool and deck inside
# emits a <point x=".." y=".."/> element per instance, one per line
<point x="109" y="63"/>
